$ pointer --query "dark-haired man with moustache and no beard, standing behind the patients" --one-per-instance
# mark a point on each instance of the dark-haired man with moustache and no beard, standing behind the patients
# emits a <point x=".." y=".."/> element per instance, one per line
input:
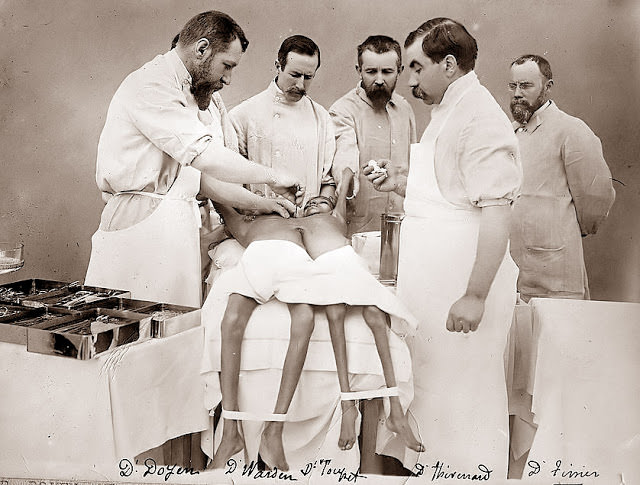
<point x="283" y="128"/>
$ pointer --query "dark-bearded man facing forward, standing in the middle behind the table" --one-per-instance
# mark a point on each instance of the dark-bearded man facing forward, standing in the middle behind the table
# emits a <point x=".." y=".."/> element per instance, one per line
<point x="373" y="122"/>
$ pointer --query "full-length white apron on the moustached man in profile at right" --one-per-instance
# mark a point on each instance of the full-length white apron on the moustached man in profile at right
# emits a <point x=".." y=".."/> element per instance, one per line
<point x="460" y="402"/>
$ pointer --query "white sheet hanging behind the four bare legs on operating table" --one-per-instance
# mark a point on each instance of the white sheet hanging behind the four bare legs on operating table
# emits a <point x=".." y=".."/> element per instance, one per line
<point x="313" y="425"/>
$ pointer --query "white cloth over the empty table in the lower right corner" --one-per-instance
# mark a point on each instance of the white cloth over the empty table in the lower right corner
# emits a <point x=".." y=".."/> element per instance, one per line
<point x="581" y="367"/>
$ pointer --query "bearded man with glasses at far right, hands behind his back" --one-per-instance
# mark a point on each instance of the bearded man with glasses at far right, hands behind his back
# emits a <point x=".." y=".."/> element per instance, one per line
<point x="566" y="188"/>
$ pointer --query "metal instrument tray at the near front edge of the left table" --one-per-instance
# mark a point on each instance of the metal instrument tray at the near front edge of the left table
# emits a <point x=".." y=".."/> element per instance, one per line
<point x="85" y="335"/>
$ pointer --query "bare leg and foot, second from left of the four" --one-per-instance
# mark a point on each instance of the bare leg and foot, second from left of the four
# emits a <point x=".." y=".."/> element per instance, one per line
<point x="302" y="323"/>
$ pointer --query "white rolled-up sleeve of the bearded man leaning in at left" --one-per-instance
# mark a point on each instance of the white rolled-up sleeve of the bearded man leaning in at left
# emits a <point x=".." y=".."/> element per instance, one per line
<point x="160" y="113"/>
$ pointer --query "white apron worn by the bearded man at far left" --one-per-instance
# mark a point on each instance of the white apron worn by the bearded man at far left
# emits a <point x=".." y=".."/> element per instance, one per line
<point x="158" y="258"/>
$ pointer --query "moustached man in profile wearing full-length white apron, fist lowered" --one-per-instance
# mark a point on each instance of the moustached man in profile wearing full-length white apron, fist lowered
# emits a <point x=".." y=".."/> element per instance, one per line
<point x="455" y="273"/>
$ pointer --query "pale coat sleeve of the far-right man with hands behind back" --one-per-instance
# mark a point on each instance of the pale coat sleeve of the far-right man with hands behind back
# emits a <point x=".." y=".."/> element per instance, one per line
<point x="588" y="177"/>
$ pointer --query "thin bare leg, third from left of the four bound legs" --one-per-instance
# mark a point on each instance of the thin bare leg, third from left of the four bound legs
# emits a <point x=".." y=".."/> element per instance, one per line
<point x="335" y="315"/>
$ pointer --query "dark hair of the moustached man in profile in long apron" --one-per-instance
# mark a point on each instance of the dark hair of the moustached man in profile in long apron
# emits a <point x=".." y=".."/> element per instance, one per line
<point x="443" y="37"/>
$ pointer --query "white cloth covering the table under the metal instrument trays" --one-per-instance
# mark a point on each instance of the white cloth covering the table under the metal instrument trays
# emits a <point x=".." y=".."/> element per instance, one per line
<point x="66" y="418"/>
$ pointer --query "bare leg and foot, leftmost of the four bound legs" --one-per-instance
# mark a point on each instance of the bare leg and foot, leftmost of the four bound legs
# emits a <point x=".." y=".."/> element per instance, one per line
<point x="236" y="316"/>
